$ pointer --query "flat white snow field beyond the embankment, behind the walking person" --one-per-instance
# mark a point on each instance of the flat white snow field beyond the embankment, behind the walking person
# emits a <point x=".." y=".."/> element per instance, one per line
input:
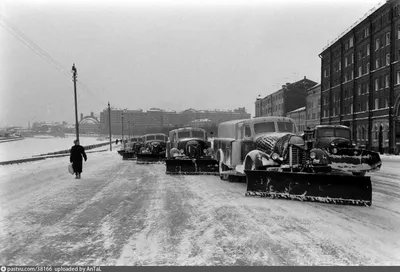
<point x="35" y="146"/>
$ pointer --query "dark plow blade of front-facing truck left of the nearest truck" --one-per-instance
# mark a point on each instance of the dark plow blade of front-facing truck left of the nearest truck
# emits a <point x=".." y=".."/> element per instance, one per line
<point x="192" y="167"/>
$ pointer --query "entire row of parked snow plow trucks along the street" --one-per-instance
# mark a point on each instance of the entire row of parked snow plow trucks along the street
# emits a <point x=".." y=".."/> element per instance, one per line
<point x="271" y="155"/>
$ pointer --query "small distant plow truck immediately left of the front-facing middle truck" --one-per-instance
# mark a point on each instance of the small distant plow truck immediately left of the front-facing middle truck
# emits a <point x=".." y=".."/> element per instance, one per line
<point x="153" y="149"/>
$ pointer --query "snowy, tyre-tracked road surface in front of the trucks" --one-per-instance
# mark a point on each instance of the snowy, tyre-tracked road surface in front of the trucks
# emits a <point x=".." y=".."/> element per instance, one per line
<point x="121" y="213"/>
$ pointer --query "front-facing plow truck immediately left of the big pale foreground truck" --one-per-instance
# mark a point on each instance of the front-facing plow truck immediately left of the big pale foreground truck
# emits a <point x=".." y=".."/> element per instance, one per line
<point x="190" y="153"/>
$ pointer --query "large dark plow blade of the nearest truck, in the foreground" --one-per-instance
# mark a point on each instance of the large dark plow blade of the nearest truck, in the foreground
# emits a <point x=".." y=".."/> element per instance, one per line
<point x="318" y="187"/>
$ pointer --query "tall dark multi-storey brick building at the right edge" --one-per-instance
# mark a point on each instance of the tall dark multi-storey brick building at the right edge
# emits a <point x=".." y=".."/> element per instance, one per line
<point x="360" y="79"/>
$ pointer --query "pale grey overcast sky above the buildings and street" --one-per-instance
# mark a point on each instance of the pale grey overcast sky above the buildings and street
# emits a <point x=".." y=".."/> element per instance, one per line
<point x="165" y="54"/>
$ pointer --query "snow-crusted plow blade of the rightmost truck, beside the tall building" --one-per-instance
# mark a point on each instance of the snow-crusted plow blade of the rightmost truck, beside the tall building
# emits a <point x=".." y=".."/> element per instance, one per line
<point x="353" y="160"/>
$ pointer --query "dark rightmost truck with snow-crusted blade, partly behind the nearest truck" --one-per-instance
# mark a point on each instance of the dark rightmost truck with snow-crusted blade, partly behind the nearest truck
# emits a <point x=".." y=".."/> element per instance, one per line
<point x="342" y="151"/>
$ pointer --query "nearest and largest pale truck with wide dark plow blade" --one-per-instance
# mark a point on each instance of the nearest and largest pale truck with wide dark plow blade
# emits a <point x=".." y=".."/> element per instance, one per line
<point x="278" y="163"/>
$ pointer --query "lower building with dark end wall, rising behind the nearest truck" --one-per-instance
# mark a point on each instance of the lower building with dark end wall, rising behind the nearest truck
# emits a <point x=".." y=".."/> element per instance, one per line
<point x="292" y="96"/>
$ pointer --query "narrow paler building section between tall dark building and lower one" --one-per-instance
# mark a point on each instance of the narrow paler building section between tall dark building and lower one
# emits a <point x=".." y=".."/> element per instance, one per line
<point x="313" y="106"/>
